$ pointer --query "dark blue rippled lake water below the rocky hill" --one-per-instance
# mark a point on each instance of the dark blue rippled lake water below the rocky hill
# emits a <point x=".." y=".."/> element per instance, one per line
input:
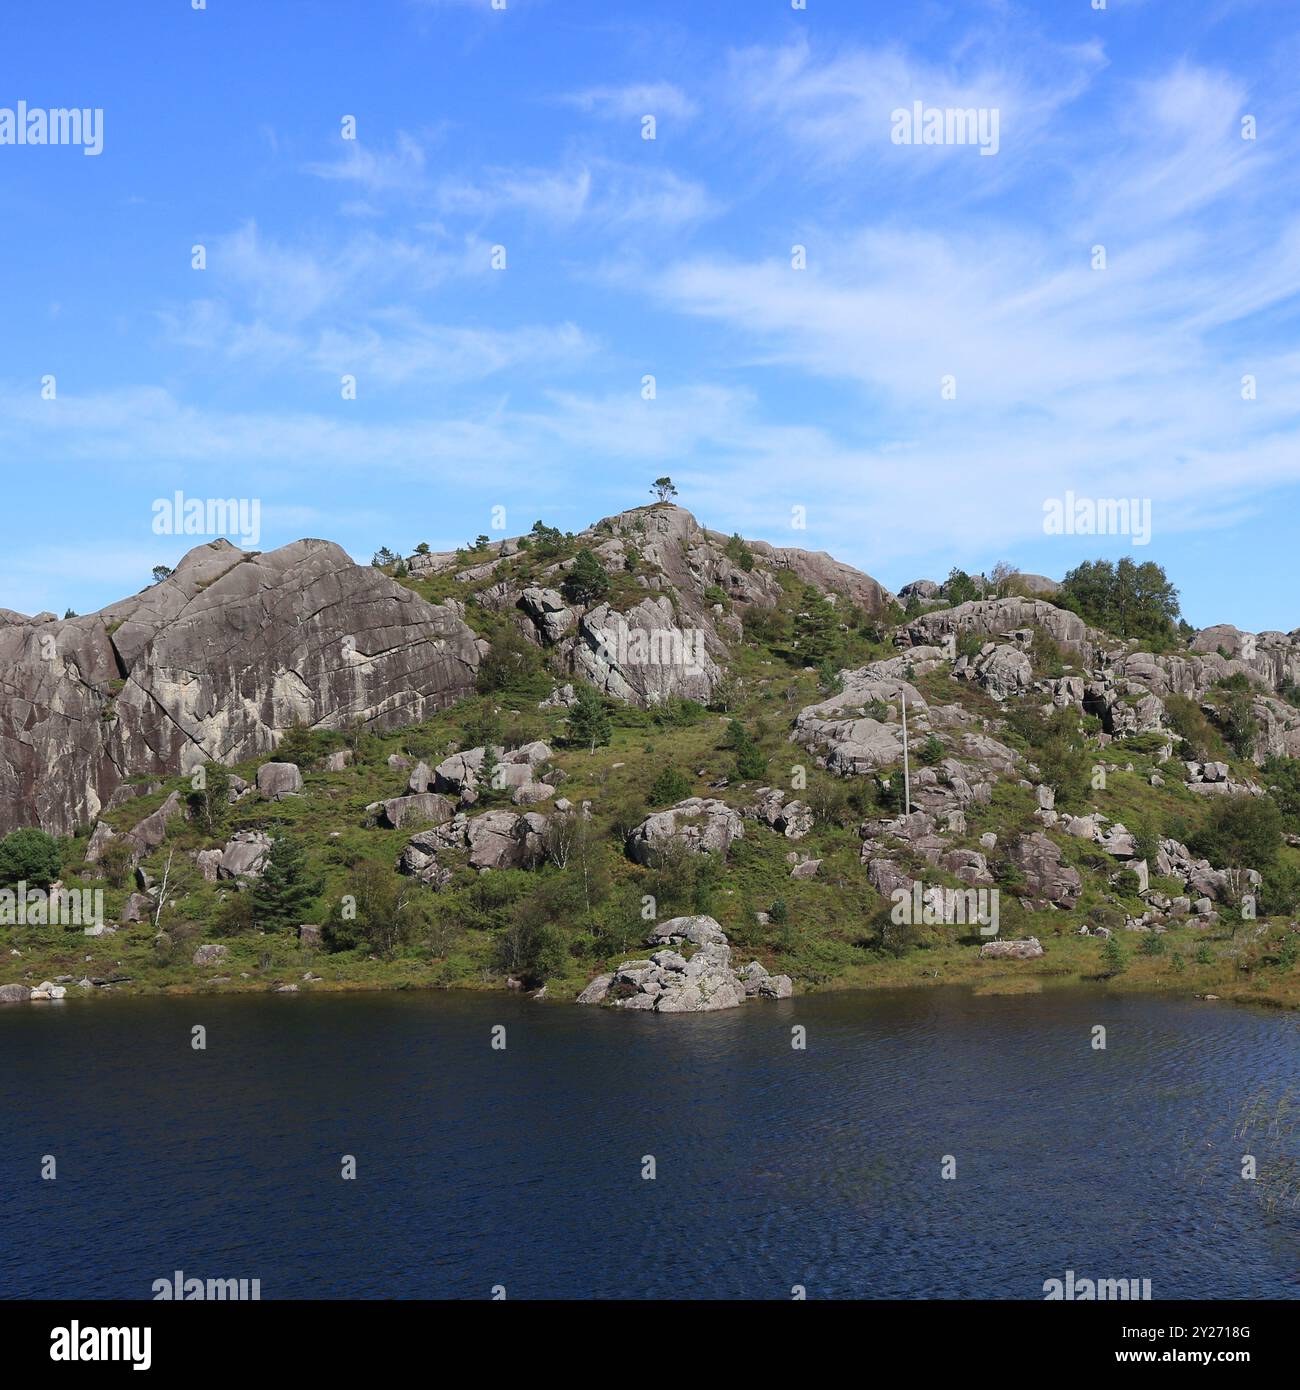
<point x="523" y="1167"/>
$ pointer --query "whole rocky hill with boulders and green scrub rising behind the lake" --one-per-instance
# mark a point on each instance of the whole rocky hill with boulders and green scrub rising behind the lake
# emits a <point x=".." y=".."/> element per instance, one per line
<point x="523" y="761"/>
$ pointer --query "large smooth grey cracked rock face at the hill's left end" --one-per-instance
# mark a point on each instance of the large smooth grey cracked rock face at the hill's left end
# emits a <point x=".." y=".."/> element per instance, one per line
<point x="215" y="664"/>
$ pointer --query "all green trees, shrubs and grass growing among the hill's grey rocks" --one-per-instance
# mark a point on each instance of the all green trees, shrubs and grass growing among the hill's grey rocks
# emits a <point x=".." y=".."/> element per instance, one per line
<point x="582" y="910"/>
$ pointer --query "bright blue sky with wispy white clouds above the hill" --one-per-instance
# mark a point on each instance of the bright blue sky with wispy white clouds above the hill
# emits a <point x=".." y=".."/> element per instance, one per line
<point x="777" y="389"/>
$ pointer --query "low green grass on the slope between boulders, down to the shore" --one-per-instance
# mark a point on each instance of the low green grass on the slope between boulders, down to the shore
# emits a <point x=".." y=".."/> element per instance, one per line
<point x="821" y="939"/>
